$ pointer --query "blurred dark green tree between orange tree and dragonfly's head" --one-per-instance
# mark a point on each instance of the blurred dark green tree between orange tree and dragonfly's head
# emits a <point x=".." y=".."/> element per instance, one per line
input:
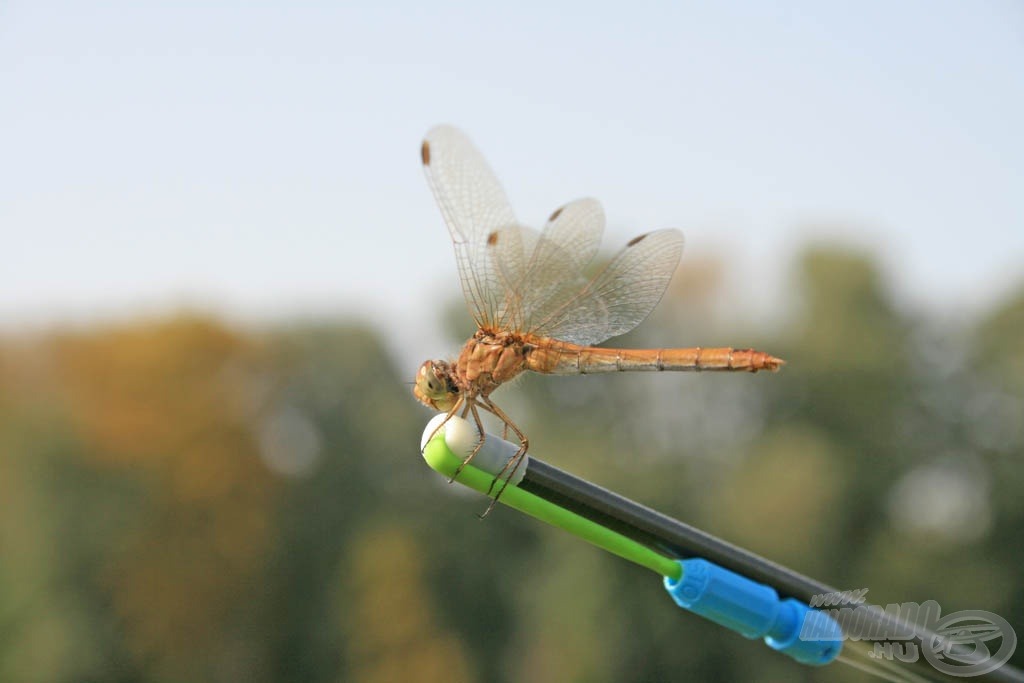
<point x="339" y="383"/>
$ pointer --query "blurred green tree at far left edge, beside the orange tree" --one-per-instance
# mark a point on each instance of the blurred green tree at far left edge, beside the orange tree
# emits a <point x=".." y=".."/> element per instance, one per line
<point x="54" y="624"/>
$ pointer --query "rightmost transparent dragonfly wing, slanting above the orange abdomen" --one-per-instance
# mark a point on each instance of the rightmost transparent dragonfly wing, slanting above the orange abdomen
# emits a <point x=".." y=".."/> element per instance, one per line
<point x="621" y="296"/>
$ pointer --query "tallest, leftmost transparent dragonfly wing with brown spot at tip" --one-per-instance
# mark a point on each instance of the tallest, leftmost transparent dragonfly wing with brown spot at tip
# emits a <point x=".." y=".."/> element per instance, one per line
<point x="489" y="245"/>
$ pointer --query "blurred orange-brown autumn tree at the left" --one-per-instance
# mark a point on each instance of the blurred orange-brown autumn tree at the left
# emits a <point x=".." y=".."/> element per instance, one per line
<point x="169" y="406"/>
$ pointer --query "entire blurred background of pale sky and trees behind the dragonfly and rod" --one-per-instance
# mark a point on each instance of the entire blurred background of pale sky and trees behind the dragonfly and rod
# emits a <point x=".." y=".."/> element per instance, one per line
<point x="221" y="268"/>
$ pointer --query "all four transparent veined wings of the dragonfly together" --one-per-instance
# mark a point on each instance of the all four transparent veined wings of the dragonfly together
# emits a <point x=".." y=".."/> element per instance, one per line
<point x="546" y="293"/>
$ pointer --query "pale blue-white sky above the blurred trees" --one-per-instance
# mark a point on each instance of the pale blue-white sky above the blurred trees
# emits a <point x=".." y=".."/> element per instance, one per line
<point x="262" y="160"/>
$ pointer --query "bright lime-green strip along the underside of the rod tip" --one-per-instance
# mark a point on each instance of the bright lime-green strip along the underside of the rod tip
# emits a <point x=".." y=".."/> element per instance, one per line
<point x="443" y="460"/>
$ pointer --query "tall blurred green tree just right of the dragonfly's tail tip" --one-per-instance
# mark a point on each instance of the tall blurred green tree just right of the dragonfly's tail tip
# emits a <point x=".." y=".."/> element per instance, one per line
<point x="848" y="383"/>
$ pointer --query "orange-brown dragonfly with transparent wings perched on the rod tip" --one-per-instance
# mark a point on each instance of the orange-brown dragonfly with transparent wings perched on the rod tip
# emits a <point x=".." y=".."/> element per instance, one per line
<point x="534" y="307"/>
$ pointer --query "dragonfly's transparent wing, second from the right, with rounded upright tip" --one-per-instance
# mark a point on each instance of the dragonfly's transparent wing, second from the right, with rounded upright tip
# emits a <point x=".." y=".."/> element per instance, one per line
<point x="554" y="270"/>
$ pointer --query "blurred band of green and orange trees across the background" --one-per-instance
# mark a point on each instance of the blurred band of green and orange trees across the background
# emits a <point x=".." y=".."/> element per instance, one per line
<point x="183" y="501"/>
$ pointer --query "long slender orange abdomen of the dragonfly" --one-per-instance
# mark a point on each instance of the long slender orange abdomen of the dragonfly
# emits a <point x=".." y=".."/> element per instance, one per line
<point x="572" y="360"/>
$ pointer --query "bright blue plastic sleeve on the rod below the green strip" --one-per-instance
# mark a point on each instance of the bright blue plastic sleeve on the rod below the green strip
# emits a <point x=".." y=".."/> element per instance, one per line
<point x="755" y="611"/>
